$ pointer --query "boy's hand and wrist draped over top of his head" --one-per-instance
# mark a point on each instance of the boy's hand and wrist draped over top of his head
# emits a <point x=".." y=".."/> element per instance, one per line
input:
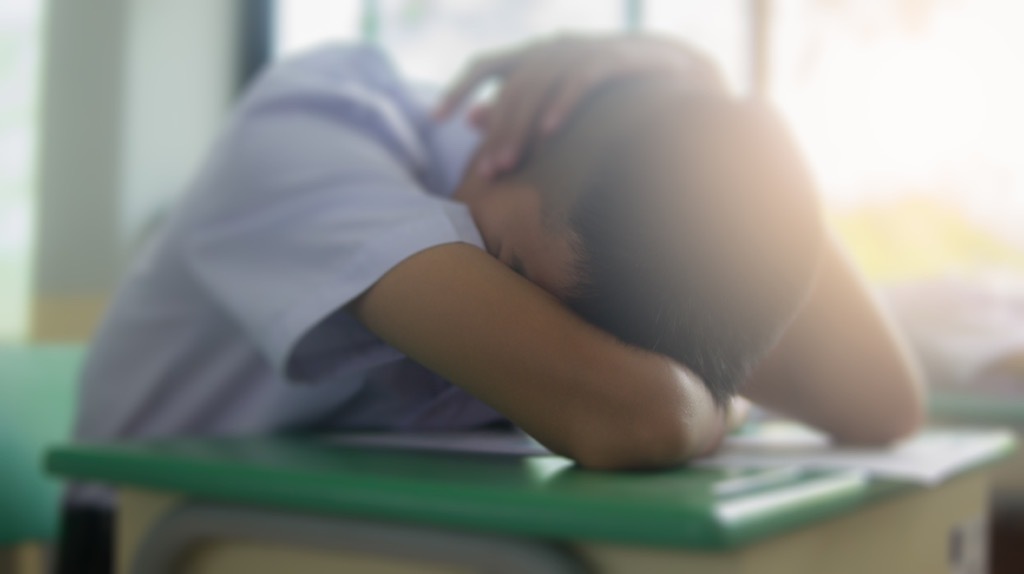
<point x="542" y="84"/>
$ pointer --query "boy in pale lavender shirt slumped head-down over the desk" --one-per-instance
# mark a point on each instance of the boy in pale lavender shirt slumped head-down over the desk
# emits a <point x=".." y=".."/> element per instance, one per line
<point x="345" y="260"/>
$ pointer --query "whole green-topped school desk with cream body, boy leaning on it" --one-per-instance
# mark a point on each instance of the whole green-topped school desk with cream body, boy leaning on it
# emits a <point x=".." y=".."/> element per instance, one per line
<point x="305" y="505"/>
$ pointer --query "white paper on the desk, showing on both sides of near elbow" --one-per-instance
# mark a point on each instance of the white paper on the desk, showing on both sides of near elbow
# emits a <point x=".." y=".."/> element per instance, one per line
<point x="928" y="459"/>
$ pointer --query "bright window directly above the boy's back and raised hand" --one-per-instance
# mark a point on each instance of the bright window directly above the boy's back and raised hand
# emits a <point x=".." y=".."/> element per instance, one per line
<point x="433" y="39"/>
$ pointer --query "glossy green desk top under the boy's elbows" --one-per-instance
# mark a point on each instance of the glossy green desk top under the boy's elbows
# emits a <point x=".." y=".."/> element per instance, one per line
<point x="544" y="497"/>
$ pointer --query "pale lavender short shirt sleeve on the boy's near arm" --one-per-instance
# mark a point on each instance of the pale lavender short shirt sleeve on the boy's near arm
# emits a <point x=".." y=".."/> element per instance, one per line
<point x="302" y="209"/>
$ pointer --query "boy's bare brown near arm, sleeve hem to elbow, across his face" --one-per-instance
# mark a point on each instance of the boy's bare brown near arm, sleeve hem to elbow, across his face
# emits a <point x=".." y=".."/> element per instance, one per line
<point x="463" y="315"/>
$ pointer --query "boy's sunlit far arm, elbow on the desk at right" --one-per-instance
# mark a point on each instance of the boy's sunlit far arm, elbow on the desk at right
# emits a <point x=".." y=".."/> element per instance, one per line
<point x="841" y="367"/>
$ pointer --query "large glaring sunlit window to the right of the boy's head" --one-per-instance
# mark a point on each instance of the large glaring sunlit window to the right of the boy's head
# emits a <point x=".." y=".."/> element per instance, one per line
<point x="911" y="115"/>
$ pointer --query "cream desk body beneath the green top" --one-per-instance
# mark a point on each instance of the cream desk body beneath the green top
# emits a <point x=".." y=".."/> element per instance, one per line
<point x="909" y="534"/>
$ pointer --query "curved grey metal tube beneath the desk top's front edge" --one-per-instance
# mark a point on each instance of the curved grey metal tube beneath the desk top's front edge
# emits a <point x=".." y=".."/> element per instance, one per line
<point x="189" y="526"/>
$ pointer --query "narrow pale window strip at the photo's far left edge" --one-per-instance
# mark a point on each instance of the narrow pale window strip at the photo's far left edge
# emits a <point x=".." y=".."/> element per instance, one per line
<point x="20" y="40"/>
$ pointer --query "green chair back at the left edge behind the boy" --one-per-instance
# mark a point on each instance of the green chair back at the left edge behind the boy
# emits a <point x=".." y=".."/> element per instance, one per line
<point x="37" y="402"/>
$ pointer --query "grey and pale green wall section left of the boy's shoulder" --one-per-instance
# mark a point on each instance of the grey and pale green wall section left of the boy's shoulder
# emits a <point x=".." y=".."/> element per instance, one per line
<point x="134" y="92"/>
